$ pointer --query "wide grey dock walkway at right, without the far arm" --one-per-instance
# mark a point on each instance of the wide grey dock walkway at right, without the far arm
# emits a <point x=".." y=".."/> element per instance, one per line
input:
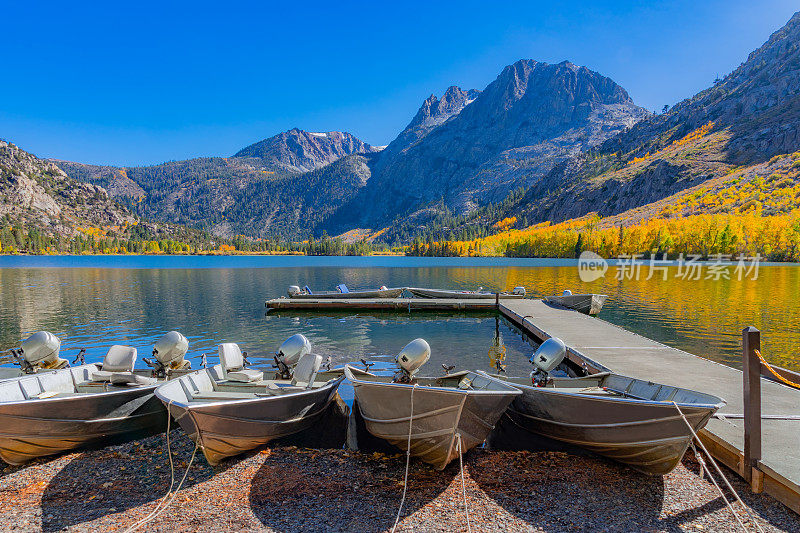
<point x="633" y="355"/>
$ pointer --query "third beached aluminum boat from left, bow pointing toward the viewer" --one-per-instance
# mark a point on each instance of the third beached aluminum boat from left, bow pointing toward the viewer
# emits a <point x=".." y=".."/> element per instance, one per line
<point x="462" y="405"/>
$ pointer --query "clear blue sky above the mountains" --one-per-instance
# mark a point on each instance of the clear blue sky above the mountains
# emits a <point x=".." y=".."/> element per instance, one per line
<point x="148" y="82"/>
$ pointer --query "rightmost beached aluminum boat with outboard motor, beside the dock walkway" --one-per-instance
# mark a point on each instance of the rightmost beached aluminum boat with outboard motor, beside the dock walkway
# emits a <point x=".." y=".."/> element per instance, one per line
<point x="625" y="419"/>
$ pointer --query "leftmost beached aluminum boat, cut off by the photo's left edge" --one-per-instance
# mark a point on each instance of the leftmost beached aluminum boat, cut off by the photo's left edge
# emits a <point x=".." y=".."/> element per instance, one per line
<point x="49" y="412"/>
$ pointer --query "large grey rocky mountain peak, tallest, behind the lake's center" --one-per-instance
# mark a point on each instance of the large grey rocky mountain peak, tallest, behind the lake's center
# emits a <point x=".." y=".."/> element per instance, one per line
<point x="532" y="117"/>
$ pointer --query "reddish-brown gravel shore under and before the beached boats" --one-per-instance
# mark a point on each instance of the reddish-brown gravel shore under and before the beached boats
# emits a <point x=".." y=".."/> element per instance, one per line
<point x="291" y="489"/>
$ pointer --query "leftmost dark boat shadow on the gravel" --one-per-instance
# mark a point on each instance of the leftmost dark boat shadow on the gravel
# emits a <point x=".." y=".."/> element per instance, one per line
<point x="114" y="479"/>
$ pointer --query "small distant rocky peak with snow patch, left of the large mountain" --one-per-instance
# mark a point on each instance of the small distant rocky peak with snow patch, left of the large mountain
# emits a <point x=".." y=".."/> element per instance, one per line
<point x="302" y="151"/>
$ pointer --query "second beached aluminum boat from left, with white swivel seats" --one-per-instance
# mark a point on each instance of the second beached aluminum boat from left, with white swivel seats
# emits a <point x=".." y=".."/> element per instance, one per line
<point x="230" y="408"/>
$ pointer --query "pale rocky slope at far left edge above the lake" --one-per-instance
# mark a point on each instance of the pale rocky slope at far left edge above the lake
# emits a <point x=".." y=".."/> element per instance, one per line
<point x="38" y="193"/>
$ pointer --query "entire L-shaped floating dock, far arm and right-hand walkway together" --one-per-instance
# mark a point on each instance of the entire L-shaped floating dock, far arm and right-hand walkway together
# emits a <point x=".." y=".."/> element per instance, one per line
<point x="604" y="346"/>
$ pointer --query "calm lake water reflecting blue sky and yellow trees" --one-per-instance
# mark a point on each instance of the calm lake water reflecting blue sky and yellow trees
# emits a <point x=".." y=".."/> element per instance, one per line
<point x="96" y="301"/>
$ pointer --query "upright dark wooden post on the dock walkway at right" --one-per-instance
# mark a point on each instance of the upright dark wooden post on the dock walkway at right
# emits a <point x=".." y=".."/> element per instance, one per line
<point x="751" y="366"/>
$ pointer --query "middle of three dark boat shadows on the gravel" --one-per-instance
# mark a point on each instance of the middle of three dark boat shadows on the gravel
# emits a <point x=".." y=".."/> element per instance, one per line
<point x="341" y="492"/>
